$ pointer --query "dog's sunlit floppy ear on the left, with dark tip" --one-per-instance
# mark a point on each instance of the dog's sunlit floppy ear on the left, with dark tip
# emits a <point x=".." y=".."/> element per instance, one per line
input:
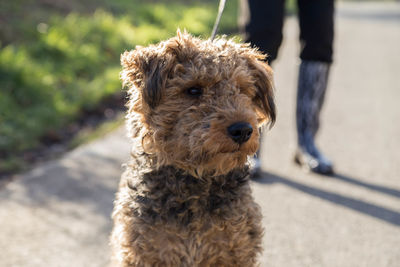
<point x="144" y="69"/>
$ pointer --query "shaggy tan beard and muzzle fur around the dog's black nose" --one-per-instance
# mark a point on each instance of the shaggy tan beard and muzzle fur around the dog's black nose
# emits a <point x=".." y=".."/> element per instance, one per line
<point x="205" y="147"/>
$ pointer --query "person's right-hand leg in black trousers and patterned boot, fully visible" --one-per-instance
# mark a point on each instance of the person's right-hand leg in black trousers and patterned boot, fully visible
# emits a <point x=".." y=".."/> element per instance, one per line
<point x="316" y="37"/>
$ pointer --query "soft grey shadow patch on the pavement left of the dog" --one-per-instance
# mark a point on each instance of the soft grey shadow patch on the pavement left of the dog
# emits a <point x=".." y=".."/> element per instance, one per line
<point x="79" y="184"/>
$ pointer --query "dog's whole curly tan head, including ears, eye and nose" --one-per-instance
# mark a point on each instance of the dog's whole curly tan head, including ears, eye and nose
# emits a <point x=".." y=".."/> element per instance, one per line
<point x="198" y="105"/>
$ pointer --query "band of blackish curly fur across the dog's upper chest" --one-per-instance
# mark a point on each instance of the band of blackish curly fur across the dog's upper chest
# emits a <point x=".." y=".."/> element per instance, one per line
<point x="169" y="196"/>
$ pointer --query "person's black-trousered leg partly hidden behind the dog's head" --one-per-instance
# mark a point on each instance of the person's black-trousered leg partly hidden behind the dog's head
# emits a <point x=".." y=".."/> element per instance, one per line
<point x="261" y="23"/>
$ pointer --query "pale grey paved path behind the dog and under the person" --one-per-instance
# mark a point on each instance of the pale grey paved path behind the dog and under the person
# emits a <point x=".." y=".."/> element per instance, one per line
<point x="59" y="213"/>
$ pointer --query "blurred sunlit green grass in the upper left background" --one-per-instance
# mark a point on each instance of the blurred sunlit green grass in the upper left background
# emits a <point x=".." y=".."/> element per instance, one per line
<point x="58" y="57"/>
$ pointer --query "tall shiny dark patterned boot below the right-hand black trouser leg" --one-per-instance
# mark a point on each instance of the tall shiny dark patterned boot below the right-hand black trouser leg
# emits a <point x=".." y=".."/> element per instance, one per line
<point x="313" y="78"/>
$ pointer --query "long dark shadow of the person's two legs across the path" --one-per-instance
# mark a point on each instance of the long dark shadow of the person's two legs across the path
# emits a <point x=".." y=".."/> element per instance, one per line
<point x="373" y="210"/>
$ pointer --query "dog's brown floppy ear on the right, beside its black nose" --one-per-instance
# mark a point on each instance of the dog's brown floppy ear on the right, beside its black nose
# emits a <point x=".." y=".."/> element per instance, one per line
<point x="263" y="75"/>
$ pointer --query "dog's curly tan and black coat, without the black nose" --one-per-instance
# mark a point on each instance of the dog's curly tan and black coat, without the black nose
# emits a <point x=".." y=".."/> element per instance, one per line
<point x="185" y="199"/>
